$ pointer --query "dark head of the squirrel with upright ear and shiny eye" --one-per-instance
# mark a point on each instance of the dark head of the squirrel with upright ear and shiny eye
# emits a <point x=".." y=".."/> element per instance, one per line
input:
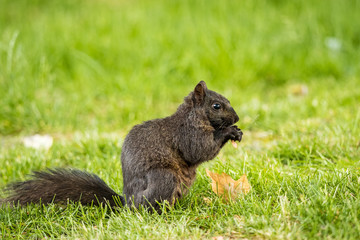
<point x="217" y="108"/>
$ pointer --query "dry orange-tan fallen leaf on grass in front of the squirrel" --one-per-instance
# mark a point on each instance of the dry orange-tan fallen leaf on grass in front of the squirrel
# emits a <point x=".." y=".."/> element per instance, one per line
<point x="223" y="185"/>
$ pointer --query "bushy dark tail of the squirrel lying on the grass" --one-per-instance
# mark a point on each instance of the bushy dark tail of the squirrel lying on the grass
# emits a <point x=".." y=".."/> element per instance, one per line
<point x="61" y="186"/>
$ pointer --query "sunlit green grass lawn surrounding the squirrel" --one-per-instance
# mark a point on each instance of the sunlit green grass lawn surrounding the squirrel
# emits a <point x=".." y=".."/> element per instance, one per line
<point x="85" y="72"/>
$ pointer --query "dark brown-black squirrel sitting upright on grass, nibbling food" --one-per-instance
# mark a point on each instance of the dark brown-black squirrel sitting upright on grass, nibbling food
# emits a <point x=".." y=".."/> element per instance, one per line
<point x="159" y="159"/>
